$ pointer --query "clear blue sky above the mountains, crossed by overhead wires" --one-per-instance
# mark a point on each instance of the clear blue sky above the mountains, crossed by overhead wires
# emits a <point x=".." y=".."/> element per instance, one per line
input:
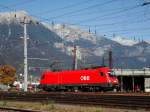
<point x="125" y="18"/>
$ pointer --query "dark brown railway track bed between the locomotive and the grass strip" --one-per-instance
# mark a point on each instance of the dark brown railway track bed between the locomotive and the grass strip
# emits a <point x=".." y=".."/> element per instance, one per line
<point x="132" y="101"/>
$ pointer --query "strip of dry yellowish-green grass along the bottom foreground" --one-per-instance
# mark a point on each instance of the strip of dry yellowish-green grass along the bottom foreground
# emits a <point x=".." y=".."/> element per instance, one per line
<point x="53" y="107"/>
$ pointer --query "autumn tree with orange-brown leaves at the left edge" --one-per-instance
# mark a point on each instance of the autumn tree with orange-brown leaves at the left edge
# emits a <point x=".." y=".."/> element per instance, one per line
<point x="7" y="74"/>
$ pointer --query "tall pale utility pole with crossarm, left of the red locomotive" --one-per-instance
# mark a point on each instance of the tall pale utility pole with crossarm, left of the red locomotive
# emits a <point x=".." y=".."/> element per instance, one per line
<point x="25" y="55"/>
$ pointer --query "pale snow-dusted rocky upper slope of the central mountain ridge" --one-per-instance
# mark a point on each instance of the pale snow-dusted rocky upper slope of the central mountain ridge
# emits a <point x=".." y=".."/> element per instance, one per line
<point x="71" y="33"/>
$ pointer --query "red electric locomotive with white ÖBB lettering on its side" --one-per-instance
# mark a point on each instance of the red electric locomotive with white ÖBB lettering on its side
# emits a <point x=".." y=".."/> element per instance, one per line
<point x="92" y="79"/>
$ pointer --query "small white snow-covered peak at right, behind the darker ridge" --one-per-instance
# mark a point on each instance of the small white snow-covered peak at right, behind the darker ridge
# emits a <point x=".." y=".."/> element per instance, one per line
<point x="124" y="41"/>
